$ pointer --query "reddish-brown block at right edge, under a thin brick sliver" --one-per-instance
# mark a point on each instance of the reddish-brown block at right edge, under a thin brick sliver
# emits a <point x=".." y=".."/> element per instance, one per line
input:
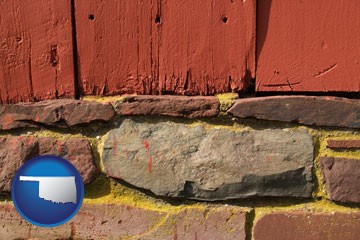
<point x="342" y="178"/>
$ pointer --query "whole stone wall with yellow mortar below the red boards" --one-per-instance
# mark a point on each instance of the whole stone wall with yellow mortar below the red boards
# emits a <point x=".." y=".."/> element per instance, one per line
<point x="176" y="167"/>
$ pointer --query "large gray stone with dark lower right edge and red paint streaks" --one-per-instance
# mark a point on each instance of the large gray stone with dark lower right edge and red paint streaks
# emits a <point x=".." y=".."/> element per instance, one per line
<point x="179" y="160"/>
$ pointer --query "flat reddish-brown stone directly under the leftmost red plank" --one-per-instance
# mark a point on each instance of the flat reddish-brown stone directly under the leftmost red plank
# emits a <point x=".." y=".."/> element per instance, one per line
<point x="56" y="113"/>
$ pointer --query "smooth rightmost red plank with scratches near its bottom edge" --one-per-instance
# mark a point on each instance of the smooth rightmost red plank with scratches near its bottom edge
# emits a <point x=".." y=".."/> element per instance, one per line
<point x="308" y="46"/>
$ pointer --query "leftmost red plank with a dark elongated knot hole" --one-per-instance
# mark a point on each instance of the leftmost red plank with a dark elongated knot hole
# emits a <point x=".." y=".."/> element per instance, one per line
<point x="36" y="54"/>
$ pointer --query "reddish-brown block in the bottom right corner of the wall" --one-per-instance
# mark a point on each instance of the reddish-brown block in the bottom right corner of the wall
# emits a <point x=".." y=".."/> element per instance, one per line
<point x="308" y="226"/>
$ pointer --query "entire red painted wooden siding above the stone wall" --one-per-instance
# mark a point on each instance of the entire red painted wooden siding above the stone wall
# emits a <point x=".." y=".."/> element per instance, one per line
<point x="186" y="47"/>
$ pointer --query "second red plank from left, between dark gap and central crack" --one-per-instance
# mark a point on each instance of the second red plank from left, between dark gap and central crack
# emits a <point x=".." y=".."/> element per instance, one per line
<point x="114" y="46"/>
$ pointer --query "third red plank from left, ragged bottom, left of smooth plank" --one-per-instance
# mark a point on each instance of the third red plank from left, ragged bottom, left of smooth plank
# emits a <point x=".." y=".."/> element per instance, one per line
<point x="206" y="47"/>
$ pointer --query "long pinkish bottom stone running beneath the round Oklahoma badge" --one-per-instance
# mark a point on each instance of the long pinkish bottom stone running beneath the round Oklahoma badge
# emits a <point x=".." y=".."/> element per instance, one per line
<point x="117" y="221"/>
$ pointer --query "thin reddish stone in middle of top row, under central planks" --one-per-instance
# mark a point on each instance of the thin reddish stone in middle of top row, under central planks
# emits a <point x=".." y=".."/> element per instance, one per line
<point x="176" y="106"/>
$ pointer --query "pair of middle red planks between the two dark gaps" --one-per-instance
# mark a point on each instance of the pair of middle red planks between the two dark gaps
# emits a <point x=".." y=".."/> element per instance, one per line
<point x="156" y="47"/>
